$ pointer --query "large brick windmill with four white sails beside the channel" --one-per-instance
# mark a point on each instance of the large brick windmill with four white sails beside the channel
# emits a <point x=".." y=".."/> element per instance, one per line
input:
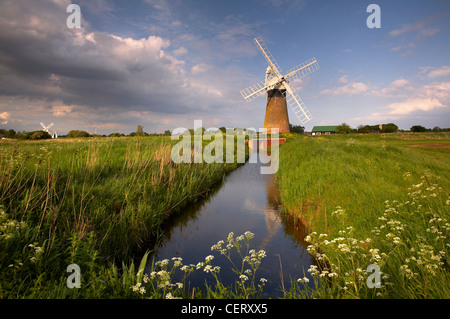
<point x="277" y="87"/>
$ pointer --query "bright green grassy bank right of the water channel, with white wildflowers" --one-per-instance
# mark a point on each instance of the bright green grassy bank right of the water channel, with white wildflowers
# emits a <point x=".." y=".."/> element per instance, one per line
<point x="373" y="199"/>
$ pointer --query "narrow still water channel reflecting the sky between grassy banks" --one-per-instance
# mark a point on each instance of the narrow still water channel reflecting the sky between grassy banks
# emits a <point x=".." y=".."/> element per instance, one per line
<point x="245" y="201"/>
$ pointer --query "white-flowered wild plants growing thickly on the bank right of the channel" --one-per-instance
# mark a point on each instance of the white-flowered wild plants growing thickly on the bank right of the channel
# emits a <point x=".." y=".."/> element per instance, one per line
<point x="408" y="242"/>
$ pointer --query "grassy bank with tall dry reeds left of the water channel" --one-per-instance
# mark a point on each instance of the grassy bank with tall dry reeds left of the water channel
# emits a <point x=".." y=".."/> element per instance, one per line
<point x="91" y="202"/>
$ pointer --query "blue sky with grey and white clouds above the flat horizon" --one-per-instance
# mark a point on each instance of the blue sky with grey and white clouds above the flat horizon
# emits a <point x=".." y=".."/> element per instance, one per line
<point x="163" y="64"/>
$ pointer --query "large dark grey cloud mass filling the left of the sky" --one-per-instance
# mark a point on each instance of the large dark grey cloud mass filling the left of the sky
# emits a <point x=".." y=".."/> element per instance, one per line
<point x="54" y="71"/>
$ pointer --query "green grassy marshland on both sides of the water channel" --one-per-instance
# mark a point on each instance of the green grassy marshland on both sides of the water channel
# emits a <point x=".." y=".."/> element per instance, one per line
<point x="374" y="199"/>
